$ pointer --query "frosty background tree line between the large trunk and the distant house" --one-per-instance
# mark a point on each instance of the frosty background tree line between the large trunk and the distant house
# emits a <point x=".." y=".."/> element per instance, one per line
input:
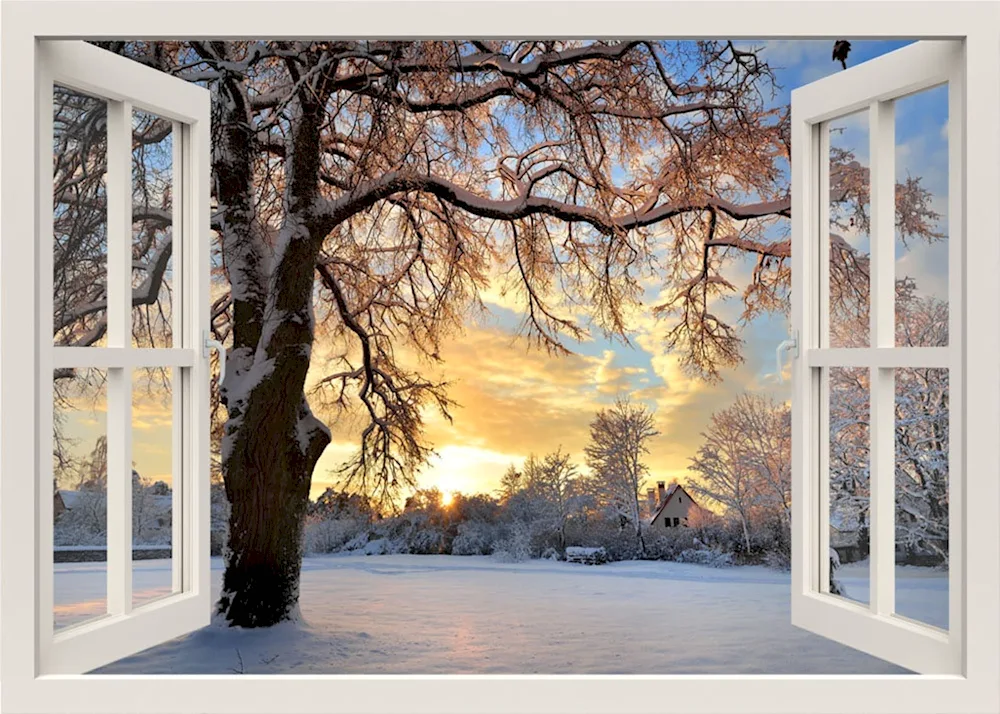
<point x="542" y="506"/>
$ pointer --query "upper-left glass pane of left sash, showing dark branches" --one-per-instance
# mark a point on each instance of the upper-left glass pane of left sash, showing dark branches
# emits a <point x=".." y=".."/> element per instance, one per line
<point x="79" y="217"/>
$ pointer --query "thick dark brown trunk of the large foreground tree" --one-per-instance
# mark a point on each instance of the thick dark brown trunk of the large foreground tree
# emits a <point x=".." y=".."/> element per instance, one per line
<point x="270" y="448"/>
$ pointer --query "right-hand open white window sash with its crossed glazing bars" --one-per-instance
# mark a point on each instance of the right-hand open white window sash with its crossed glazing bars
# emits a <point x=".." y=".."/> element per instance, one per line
<point x="874" y="628"/>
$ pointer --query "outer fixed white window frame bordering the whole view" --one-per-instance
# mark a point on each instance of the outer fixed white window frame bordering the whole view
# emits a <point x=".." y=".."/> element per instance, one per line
<point x="974" y="690"/>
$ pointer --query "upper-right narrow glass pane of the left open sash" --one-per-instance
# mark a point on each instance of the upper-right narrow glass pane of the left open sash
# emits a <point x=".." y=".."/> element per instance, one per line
<point x="152" y="255"/>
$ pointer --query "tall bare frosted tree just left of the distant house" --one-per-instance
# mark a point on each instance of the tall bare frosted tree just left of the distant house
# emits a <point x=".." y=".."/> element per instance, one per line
<point x="619" y="439"/>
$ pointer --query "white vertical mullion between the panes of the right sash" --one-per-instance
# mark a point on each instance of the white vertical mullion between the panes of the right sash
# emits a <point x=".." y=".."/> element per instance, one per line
<point x="882" y="426"/>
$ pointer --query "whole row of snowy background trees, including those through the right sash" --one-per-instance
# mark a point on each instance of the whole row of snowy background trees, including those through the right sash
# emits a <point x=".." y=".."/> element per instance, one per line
<point x="741" y="473"/>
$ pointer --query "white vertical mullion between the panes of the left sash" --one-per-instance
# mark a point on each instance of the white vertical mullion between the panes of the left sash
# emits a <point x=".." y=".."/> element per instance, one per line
<point x="119" y="453"/>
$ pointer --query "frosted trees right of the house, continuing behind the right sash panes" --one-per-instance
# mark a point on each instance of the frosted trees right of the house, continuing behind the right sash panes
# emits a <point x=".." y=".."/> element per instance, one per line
<point x="743" y="465"/>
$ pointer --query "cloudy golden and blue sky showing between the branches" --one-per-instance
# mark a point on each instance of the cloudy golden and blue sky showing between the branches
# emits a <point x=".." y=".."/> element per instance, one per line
<point x="514" y="400"/>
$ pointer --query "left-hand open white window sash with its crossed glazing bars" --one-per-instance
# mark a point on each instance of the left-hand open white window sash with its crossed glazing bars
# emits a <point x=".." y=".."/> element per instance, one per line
<point x="125" y="84"/>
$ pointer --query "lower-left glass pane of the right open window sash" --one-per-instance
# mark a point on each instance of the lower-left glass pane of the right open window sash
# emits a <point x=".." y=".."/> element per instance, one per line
<point x="850" y="495"/>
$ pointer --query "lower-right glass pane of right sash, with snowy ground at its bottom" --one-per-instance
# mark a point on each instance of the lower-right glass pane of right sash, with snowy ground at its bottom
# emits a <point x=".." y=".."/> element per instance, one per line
<point x="922" y="495"/>
